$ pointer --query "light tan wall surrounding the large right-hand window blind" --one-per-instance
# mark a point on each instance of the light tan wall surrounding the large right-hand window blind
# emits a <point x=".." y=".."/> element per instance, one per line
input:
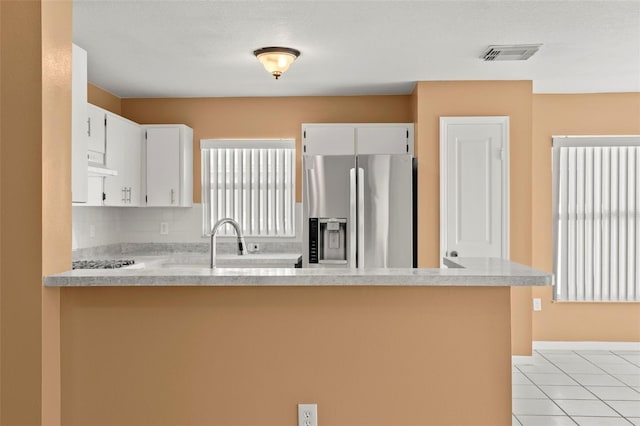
<point x="587" y="114"/>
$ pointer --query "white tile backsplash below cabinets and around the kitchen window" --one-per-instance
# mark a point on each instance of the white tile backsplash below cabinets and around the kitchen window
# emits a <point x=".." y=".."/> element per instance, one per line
<point x="98" y="226"/>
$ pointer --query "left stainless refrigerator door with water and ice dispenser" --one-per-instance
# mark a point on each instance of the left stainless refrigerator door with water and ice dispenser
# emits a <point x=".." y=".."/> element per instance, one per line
<point x="329" y="182"/>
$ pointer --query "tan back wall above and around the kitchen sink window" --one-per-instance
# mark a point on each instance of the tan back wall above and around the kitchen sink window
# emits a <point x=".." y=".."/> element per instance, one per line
<point x="263" y="118"/>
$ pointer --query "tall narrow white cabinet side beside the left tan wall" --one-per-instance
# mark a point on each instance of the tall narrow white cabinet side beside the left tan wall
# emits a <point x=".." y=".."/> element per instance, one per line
<point x="79" y="162"/>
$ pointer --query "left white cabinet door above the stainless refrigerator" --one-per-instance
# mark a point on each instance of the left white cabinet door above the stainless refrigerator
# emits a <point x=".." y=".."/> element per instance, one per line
<point x="328" y="139"/>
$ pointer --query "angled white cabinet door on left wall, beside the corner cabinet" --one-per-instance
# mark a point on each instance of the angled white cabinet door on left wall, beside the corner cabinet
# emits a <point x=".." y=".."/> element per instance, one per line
<point x="123" y="153"/>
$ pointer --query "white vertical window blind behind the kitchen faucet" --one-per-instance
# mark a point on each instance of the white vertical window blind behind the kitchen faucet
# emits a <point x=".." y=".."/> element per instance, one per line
<point x="250" y="181"/>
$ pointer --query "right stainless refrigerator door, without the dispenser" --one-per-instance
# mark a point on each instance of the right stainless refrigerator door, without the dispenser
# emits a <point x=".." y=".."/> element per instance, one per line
<point x="385" y="184"/>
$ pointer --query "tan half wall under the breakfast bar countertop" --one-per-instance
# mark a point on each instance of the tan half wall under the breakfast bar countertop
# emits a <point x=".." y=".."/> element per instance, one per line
<point x="247" y="356"/>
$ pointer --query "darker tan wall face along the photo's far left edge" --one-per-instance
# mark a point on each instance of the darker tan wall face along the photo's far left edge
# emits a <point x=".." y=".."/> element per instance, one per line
<point x="20" y="186"/>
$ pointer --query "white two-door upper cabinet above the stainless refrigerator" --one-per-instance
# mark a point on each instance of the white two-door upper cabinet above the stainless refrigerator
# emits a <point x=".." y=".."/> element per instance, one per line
<point x="357" y="138"/>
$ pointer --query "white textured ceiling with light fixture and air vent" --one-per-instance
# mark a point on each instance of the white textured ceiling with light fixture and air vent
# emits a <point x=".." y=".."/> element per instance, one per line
<point x="204" y="48"/>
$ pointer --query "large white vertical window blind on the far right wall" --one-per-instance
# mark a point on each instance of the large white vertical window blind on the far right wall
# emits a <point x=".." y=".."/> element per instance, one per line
<point x="596" y="218"/>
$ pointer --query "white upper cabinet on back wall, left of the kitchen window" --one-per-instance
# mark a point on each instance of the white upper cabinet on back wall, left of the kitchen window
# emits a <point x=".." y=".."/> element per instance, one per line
<point x="169" y="165"/>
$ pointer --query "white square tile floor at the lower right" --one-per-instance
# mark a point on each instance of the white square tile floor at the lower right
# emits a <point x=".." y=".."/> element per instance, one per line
<point x="580" y="387"/>
